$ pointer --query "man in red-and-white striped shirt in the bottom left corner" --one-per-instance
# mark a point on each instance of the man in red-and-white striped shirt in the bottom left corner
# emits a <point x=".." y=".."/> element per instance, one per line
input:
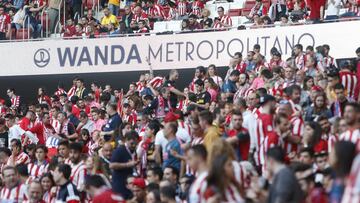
<point x="13" y="191"/>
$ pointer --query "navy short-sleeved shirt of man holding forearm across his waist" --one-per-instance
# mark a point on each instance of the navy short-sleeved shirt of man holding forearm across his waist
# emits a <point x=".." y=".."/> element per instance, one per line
<point x="121" y="155"/>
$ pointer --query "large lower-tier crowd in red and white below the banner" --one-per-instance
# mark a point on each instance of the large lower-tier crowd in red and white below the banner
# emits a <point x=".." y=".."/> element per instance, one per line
<point x="270" y="130"/>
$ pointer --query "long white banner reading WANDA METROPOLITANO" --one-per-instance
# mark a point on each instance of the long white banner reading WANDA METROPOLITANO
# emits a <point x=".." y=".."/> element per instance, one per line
<point x="169" y="51"/>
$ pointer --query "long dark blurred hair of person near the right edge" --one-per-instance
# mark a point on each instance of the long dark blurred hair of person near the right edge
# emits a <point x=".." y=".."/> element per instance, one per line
<point x="345" y="153"/>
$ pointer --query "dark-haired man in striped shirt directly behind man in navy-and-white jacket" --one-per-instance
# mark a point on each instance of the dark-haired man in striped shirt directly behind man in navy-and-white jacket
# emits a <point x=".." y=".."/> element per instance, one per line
<point x="78" y="168"/>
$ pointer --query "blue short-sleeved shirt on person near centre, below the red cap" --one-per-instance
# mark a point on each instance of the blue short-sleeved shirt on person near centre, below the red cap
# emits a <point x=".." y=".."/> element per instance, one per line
<point x="169" y="159"/>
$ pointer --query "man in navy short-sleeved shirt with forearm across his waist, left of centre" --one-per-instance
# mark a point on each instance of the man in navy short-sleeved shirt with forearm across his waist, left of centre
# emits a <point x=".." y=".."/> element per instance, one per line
<point x="123" y="162"/>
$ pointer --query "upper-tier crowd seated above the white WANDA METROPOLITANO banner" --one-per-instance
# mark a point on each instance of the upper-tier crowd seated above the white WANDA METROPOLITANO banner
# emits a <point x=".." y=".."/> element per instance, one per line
<point x="80" y="18"/>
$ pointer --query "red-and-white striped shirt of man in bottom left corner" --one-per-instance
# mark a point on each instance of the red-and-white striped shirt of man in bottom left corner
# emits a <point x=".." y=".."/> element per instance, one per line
<point x="15" y="194"/>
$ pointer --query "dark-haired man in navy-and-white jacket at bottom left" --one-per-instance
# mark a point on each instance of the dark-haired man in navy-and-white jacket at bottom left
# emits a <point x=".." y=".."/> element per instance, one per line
<point x="67" y="191"/>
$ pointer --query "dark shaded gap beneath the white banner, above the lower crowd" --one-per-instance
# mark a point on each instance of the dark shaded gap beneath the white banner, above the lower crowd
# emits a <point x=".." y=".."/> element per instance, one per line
<point x="26" y="86"/>
